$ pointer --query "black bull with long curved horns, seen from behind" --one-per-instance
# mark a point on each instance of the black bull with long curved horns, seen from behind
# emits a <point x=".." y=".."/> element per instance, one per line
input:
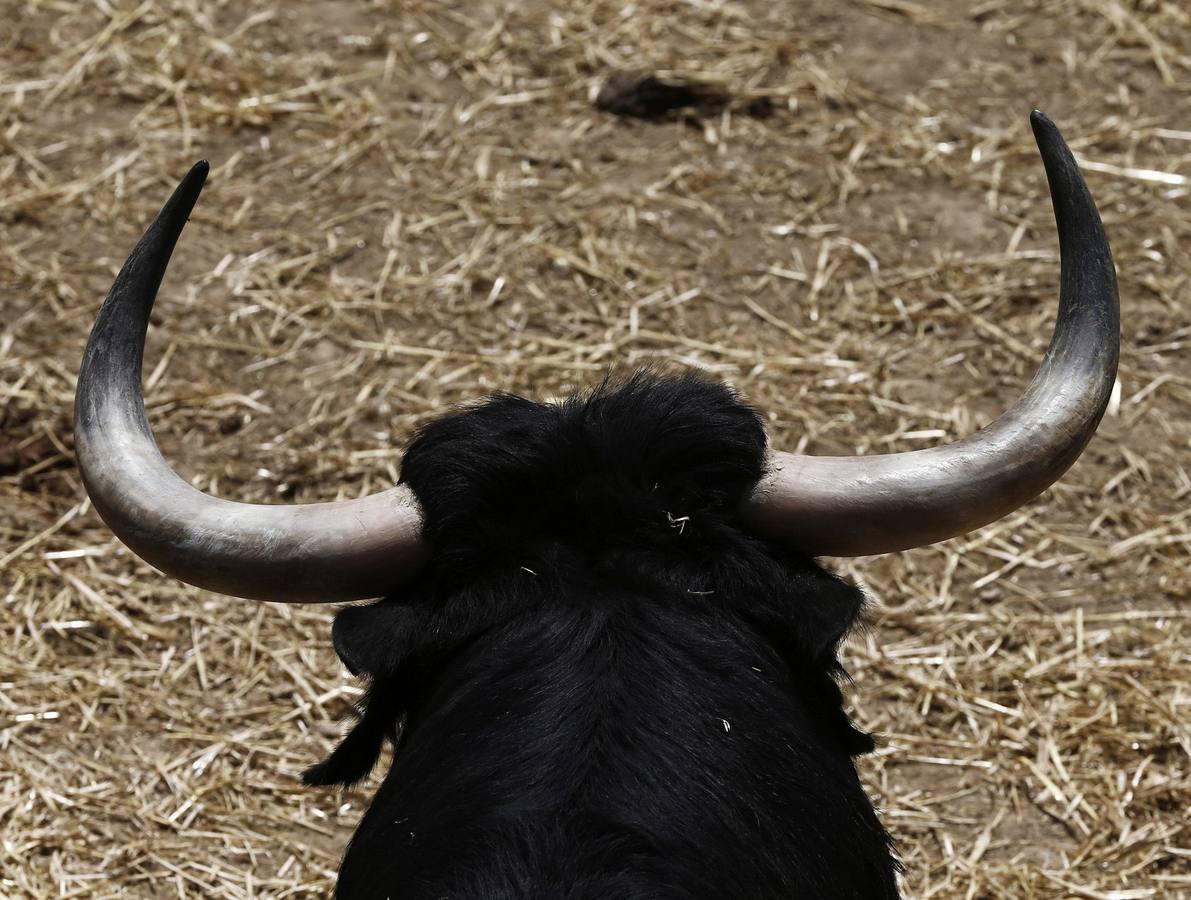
<point x="607" y="658"/>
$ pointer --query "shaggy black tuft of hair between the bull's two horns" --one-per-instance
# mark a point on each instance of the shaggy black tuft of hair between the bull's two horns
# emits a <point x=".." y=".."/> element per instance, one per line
<point x="651" y="460"/>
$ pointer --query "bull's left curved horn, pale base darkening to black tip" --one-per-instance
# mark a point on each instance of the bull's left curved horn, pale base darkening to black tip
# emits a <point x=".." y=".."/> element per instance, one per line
<point x="309" y="553"/>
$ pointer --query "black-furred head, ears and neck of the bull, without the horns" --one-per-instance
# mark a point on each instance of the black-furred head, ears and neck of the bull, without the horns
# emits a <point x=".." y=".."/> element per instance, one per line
<point x="602" y="686"/>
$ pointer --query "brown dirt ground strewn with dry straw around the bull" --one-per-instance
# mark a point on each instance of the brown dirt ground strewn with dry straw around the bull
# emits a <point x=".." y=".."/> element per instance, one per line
<point x="416" y="203"/>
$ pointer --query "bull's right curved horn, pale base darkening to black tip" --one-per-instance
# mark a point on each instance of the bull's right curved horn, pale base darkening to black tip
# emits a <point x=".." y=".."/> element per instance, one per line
<point x="862" y="505"/>
